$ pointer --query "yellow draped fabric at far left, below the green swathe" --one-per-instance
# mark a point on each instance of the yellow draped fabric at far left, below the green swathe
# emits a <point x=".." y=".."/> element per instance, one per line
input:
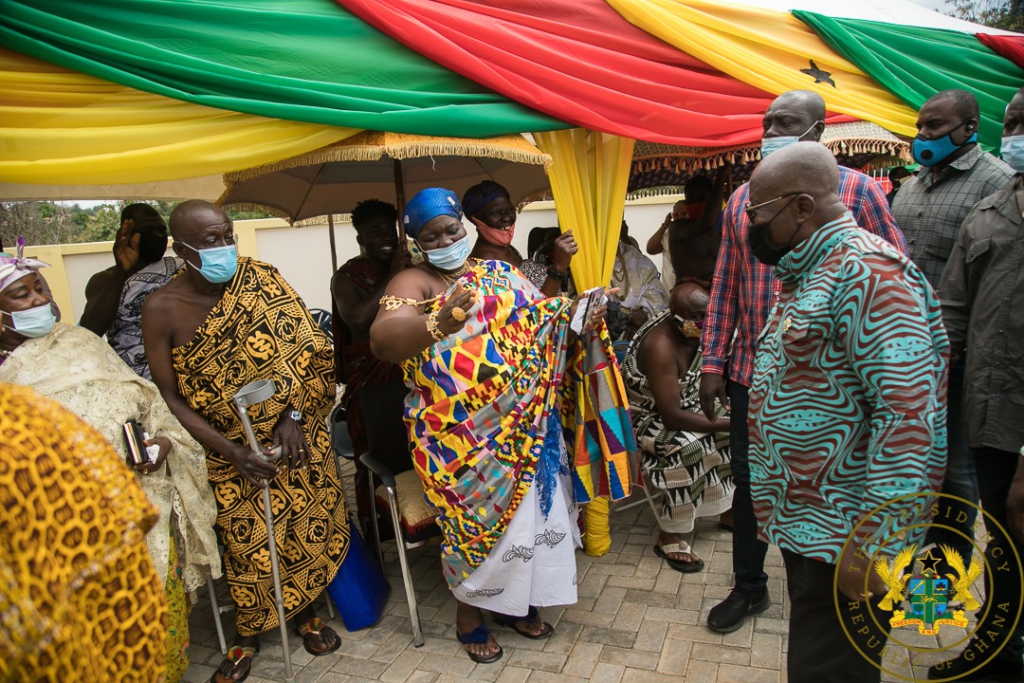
<point x="62" y="127"/>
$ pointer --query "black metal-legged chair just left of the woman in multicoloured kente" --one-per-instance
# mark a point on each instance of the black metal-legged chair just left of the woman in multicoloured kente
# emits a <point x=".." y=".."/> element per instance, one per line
<point x="390" y="455"/>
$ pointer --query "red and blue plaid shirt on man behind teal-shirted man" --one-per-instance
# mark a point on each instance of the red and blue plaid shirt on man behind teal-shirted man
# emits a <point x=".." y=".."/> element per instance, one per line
<point x="744" y="288"/>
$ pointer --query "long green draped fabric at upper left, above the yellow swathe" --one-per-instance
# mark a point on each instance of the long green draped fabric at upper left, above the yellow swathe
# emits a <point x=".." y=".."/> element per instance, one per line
<point x="303" y="61"/>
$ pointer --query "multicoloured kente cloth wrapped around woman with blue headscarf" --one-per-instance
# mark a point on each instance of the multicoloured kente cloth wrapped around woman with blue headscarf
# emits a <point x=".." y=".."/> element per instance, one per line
<point x="491" y="402"/>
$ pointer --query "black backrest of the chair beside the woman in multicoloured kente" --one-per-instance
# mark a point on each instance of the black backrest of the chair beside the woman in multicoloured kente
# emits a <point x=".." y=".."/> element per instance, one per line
<point x="383" y="408"/>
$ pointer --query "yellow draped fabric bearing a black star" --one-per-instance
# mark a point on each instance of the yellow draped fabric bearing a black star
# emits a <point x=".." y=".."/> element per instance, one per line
<point x="769" y="50"/>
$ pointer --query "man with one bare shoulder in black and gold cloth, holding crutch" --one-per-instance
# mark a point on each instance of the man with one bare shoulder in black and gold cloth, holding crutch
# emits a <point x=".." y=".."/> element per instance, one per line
<point x="222" y="324"/>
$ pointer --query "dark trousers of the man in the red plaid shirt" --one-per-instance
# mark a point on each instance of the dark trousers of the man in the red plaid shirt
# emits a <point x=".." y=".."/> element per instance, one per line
<point x="748" y="551"/>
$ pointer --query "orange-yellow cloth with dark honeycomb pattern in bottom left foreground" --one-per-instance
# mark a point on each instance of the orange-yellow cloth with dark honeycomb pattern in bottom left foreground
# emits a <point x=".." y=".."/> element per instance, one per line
<point x="79" y="597"/>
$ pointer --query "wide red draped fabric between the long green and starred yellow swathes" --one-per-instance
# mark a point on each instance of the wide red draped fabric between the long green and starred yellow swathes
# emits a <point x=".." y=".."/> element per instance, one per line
<point x="581" y="62"/>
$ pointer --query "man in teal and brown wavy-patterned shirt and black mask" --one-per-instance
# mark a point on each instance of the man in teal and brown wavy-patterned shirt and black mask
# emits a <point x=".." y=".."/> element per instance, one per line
<point x="847" y="407"/>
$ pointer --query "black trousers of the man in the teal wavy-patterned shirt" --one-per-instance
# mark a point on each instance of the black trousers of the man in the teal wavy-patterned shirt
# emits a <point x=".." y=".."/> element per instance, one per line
<point x="821" y="651"/>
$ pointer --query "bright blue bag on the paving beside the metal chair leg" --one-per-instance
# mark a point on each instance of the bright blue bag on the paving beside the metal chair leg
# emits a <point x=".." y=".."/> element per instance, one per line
<point x="360" y="589"/>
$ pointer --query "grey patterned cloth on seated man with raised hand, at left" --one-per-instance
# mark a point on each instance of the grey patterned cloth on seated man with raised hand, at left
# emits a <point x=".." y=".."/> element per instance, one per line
<point x="125" y="333"/>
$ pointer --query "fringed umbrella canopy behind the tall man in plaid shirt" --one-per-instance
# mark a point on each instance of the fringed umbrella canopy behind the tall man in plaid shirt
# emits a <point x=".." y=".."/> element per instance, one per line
<point x="664" y="169"/>
